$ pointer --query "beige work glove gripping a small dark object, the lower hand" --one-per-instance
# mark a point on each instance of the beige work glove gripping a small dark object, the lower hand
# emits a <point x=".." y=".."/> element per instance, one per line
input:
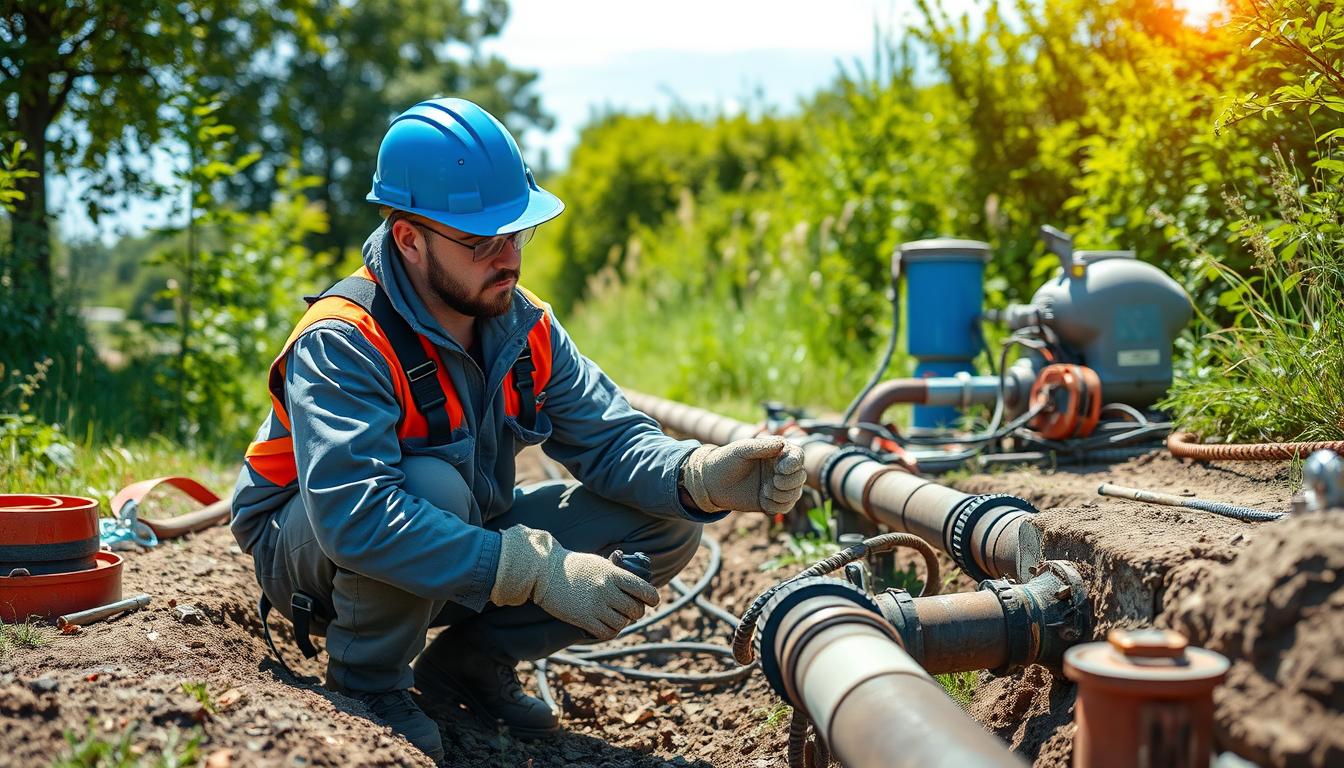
<point x="584" y="590"/>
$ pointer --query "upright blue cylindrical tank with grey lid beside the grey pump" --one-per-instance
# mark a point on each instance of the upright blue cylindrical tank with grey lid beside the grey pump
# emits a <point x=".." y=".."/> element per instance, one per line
<point x="946" y="287"/>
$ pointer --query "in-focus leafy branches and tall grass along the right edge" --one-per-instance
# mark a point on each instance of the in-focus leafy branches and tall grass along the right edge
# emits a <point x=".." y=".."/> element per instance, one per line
<point x="1269" y="365"/>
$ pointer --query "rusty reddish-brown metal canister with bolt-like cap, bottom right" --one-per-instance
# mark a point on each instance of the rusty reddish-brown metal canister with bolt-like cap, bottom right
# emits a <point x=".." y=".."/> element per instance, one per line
<point x="1144" y="700"/>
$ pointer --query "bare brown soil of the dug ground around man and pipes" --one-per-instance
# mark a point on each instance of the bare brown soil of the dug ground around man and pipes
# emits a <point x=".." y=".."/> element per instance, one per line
<point x="1232" y="586"/>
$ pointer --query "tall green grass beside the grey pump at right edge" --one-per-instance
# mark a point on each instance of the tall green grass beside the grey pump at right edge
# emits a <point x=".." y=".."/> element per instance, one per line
<point x="1276" y="372"/>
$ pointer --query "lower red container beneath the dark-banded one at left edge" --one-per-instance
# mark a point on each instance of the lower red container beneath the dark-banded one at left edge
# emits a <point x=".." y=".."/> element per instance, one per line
<point x="60" y="594"/>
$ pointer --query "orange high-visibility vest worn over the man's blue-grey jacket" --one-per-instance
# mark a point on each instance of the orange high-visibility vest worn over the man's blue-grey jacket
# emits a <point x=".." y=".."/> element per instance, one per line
<point x="274" y="459"/>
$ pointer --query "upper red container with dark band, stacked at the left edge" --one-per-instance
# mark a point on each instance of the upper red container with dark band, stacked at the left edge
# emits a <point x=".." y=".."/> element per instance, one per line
<point x="48" y="535"/>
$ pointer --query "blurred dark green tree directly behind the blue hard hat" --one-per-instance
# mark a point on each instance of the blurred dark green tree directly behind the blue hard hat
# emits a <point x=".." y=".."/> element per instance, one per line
<point x="329" y="104"/>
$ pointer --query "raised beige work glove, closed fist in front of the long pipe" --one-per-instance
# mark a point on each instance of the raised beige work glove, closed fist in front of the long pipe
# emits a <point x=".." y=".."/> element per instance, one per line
<point x="756" y="475"/>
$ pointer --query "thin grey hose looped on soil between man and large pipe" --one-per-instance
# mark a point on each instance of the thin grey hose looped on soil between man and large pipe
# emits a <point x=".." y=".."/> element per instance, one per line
<point x="593" y="657"/>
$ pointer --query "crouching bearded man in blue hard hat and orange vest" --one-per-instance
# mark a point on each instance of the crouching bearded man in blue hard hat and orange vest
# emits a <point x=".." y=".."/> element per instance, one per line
<point x="378" y="500"/>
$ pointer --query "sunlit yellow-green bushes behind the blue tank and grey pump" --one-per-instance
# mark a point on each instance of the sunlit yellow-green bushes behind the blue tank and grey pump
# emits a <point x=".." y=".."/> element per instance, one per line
<point x="1109" y="120"/>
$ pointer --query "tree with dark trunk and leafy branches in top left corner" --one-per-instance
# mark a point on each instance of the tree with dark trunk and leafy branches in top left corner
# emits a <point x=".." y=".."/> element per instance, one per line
<point x="103" y="72"/>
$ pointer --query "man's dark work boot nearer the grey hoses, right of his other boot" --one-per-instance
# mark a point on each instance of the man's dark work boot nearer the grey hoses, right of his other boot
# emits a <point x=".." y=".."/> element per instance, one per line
<point x="487" y="685"/>
